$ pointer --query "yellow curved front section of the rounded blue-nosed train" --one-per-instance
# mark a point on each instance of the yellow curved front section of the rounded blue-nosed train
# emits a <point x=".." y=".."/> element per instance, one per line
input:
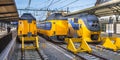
<point x="86" y="33"/>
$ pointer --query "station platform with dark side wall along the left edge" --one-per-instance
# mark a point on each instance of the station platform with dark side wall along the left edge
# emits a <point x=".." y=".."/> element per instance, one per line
<point x="7" y="42"/>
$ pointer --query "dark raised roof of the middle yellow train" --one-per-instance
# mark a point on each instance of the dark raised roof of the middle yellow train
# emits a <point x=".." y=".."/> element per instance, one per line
<point x="56" y="16"/>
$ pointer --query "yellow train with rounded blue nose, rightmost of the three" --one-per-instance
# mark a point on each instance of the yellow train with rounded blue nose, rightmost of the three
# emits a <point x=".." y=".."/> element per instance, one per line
<point x="85" y="26"/>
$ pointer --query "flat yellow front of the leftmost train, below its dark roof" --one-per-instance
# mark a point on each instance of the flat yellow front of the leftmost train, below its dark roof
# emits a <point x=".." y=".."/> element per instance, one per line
<point x="24" y="27"/>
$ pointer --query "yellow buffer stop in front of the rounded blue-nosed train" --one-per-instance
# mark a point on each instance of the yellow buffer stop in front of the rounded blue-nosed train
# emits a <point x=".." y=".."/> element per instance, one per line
<point x="83" y="46"/>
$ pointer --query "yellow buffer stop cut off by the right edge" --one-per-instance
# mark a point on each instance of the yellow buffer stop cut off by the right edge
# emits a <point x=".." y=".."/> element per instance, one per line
<point x="111" y="43"/>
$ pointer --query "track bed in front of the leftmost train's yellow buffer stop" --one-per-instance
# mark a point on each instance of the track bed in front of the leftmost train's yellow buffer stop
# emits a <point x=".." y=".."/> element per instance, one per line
<point x="33" y="55"/>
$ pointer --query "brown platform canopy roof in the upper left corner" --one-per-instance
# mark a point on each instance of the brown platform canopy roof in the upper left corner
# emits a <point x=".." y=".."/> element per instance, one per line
<point x="8" y="11"/>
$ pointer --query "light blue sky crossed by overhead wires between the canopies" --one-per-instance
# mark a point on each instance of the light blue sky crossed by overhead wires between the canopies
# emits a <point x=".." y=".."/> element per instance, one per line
<point x="73" y="5"/>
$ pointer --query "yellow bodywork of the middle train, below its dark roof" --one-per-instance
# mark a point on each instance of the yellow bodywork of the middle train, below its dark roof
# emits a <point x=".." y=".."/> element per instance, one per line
<point x="58" y="28"/>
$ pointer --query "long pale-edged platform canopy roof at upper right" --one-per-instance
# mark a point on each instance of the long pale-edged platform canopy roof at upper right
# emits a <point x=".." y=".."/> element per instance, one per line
<point x="105" y="9"/>
